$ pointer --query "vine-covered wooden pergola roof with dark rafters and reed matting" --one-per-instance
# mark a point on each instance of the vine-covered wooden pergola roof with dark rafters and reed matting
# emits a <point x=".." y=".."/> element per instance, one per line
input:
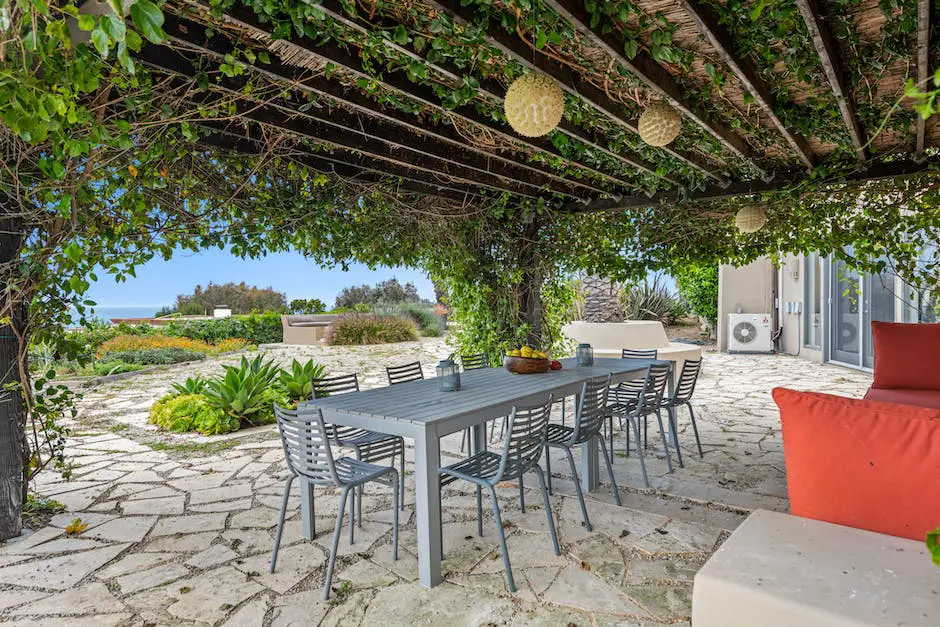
<point x="365" y="90"/>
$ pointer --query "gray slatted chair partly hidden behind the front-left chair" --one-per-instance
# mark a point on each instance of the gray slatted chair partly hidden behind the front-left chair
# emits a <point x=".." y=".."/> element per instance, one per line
<point x="369" y="446"/>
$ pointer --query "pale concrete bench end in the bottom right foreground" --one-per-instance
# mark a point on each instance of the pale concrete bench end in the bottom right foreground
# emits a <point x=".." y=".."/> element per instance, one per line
<point x="778" y="570"/>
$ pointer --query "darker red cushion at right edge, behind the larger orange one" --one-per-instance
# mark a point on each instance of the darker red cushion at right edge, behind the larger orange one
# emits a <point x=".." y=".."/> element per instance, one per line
<point x="907" y="356"/>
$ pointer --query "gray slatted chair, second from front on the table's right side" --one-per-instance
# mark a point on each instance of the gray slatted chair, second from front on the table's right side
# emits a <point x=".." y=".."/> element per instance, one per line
<point x="590" y="416"/>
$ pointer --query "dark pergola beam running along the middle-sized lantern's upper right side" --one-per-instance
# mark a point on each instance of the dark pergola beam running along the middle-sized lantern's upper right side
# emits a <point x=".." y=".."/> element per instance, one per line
<point x="654" y="76"/>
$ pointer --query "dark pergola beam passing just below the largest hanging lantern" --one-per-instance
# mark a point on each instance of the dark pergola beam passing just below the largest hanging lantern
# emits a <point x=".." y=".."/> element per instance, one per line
<point x="246" y="19"/>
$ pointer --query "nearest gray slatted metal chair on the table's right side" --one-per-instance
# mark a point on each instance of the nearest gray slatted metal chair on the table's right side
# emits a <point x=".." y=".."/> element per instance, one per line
<point x="521" y="451"/>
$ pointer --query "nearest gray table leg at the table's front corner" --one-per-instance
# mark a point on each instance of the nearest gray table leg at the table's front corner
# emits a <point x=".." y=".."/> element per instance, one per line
<point x="428" y="507"/>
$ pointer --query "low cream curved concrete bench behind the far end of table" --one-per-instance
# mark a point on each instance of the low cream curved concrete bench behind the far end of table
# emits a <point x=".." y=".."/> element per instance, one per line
<point x="608" y="339"/>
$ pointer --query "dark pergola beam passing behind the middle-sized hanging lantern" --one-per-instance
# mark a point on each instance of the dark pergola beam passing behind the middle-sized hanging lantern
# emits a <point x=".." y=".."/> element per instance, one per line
<point x="566" y="78"/>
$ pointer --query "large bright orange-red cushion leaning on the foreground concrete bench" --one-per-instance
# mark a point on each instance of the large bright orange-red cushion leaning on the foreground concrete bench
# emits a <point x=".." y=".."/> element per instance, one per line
<point x="863" y="464"/>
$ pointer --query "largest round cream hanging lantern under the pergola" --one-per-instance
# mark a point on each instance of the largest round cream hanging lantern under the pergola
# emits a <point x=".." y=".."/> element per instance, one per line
<point x="533" y="105"/>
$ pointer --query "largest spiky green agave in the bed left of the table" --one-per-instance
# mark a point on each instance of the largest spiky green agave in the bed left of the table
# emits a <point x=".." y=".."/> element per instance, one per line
<point x="245" y="391"/>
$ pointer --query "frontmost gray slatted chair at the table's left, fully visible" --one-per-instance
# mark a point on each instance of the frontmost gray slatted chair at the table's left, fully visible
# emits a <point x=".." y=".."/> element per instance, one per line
<point x="310" y="459"/>
